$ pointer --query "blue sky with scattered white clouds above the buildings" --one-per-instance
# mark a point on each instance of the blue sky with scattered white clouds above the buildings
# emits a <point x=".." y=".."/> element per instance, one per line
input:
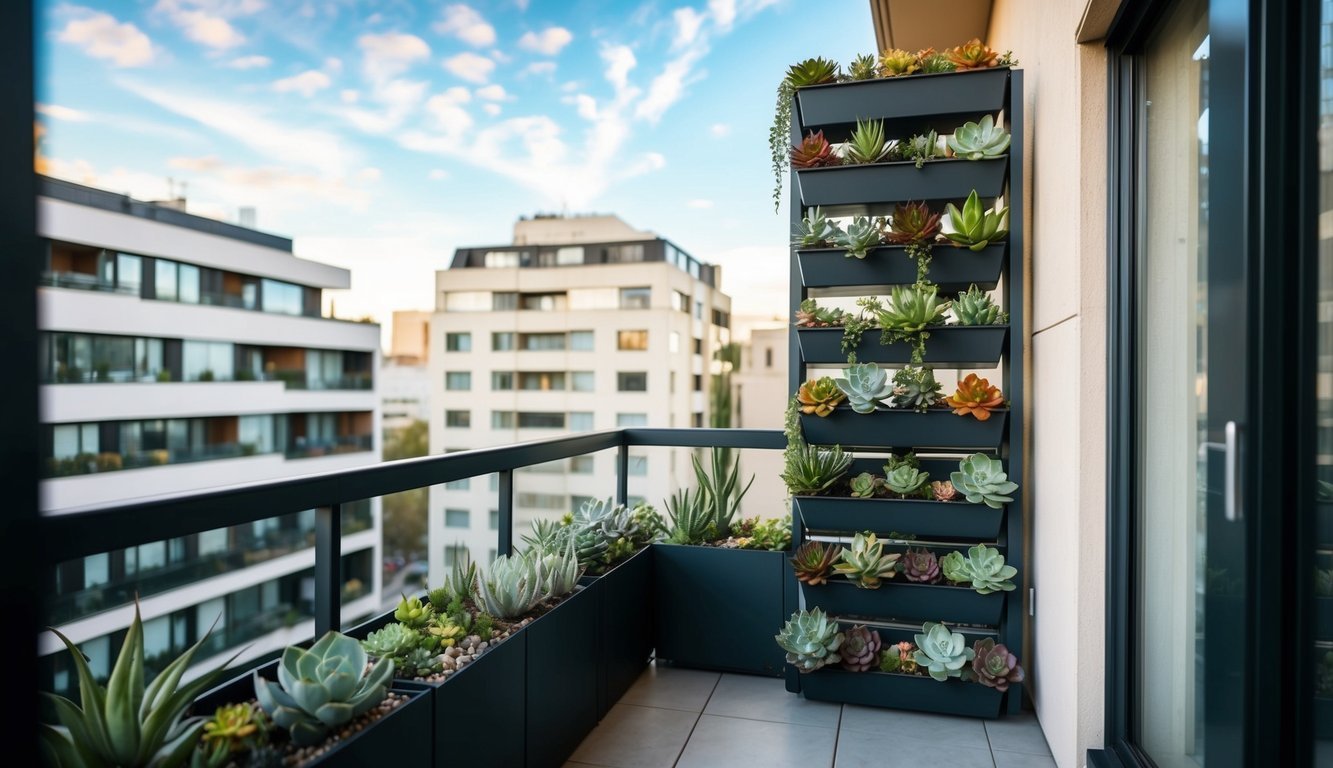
<point x="383" y="135"/>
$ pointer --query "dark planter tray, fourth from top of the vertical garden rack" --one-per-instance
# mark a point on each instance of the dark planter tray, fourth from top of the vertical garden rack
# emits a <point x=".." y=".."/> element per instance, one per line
<point x="948" y="347"/>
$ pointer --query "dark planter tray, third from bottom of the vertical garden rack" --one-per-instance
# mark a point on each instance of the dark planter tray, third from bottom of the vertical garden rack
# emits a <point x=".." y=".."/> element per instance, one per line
<point x="928" y="521"/>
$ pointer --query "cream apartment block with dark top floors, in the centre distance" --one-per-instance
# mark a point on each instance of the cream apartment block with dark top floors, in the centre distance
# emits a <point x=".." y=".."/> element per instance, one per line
<point x="582" y="325"/>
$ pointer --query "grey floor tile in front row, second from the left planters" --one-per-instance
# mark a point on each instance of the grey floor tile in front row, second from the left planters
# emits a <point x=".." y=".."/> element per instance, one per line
<point x="736" y="743"/>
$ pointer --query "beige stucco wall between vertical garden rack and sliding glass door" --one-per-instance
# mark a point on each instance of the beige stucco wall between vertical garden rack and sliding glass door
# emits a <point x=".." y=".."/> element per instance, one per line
<point x="1066" y="150"/>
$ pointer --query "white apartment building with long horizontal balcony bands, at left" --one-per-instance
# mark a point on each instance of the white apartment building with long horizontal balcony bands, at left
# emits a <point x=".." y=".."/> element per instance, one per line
<point x="181" y="354"/>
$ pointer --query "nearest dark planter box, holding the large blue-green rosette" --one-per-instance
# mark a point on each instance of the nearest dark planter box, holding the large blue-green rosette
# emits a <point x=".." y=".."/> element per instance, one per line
<point x="403" y="733"/>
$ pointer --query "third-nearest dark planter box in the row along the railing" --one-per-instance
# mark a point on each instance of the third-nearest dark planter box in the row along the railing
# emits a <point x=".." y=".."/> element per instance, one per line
<point x="562" y="678"/>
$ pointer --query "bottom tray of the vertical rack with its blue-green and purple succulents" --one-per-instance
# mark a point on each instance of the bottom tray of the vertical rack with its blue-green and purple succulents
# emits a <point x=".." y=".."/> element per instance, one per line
<point x="939" y="670"/>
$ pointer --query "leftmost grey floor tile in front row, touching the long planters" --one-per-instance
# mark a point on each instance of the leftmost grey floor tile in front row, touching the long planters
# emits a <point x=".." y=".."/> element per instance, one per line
<point x="637" y="738"/>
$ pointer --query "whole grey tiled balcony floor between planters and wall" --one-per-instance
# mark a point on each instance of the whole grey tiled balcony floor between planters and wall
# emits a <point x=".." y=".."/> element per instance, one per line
<point x="694" y="719"/>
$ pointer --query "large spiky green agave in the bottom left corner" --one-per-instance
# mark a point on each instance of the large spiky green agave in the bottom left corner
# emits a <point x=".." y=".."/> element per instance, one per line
<point x="126" y="723"/>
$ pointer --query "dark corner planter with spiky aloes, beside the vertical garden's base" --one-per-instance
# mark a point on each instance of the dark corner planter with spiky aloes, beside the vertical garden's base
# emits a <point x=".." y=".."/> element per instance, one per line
<point x="720" y="573"/>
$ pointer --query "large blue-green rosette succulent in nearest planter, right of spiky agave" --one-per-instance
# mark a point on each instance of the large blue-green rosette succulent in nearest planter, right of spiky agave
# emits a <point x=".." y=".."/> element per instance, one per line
<point x="323" y="689"/>
